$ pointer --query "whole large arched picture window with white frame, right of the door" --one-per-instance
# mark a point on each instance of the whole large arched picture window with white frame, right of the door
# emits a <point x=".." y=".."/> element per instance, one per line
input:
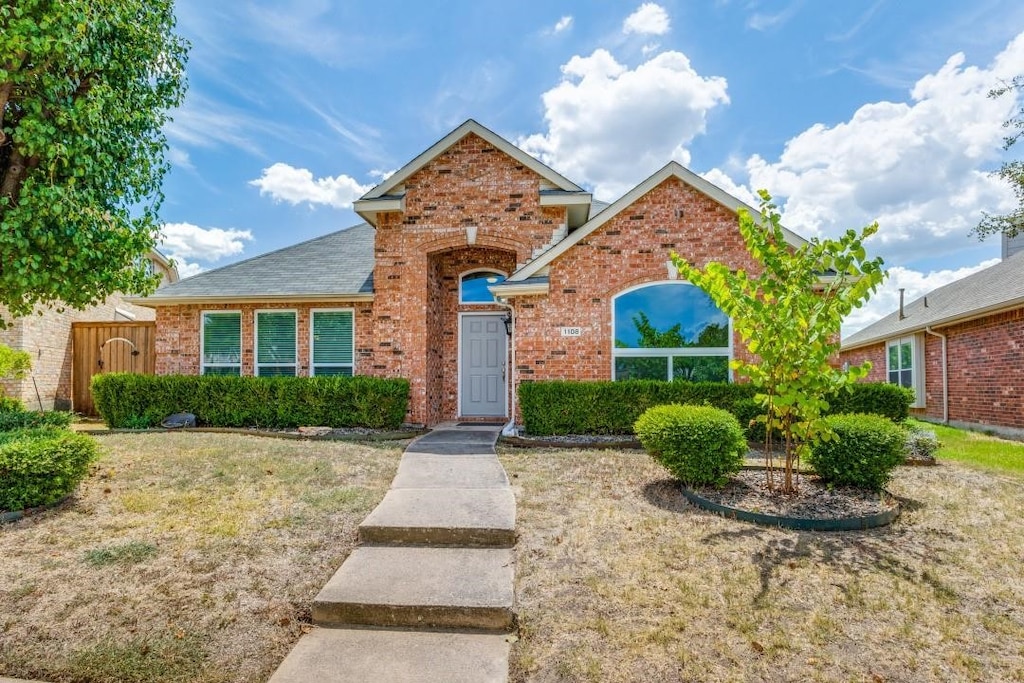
<point x="670" y="331"/>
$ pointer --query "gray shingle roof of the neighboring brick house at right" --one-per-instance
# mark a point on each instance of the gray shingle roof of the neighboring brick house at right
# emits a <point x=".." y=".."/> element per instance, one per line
<point x="996" y="288"/>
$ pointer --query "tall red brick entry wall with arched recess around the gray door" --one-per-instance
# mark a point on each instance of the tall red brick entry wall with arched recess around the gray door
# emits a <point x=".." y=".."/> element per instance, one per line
<point x="471" y="185"/>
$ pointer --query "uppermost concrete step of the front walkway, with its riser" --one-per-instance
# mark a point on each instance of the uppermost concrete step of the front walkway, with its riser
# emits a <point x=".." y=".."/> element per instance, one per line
<point x="471" y="518"/>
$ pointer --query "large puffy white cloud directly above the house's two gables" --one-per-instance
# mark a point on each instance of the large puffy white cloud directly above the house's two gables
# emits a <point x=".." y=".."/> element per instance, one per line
<point x="612" y="126"/>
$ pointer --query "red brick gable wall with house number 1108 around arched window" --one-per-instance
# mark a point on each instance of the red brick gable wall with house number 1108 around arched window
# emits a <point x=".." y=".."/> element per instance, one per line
<point x="631" y="249"/>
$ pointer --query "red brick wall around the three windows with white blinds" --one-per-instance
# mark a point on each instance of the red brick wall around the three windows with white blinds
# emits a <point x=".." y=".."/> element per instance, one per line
<point x="179" y="336"/>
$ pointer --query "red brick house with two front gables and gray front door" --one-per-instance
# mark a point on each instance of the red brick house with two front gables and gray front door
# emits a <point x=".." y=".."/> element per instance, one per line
<point x="479" y="268"/>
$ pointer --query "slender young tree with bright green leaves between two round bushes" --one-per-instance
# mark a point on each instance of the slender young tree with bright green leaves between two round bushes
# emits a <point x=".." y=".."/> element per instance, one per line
<point x="789" y="316"/>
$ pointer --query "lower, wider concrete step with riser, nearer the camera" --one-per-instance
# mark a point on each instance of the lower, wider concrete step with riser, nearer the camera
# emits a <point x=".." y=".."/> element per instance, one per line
<point x="443" y="588"/>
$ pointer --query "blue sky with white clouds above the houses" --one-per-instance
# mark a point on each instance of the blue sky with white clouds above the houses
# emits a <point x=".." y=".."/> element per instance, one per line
<point x="847" y="112"/>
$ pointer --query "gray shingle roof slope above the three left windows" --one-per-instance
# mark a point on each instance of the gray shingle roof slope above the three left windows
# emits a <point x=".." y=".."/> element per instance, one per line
<point x="339" y="264"/>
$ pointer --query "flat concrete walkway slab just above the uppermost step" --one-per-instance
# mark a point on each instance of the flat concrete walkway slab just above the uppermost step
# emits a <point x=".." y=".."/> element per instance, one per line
<point x="426" y="472"/>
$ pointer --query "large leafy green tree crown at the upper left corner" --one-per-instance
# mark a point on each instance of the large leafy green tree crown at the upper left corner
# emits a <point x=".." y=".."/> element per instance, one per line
<point x="86" y="90"/>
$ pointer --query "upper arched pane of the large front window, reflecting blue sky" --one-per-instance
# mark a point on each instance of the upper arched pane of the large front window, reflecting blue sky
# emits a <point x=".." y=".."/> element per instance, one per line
<point x="669" y="317"/>
